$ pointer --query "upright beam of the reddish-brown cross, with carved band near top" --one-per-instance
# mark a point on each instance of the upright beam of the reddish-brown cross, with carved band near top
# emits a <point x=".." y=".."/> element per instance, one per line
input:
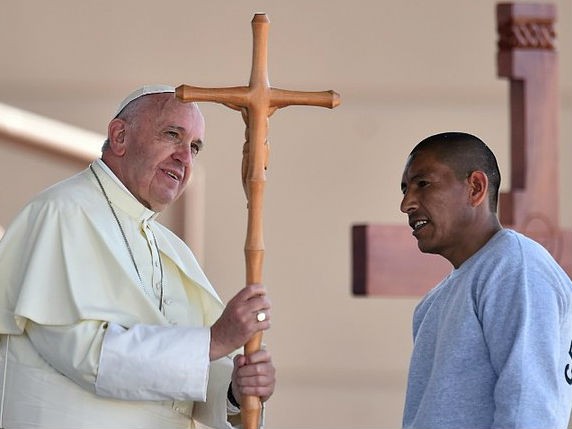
<point x="527" y="57"/>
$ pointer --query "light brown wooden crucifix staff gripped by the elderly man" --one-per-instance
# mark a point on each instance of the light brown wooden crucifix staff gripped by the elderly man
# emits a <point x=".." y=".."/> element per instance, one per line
<point x="257" y="102"/>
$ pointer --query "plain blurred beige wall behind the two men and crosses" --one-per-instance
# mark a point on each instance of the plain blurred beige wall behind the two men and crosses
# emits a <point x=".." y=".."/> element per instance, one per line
<point x="404" y="69"/>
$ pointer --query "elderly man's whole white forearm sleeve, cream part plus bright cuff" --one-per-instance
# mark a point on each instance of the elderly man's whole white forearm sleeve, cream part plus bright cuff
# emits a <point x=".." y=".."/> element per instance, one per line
<point x="145" y="362"/>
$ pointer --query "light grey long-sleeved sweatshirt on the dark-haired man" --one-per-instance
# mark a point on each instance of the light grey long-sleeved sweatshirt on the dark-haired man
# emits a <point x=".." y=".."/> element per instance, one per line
<point x="493" y="343"/>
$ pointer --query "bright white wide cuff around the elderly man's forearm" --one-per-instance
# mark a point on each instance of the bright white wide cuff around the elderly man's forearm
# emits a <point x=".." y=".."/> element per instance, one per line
<point x="144" y="349"/>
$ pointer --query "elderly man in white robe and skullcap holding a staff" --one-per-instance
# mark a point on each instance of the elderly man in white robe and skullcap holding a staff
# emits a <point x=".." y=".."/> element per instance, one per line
<point x="107" y="320"/>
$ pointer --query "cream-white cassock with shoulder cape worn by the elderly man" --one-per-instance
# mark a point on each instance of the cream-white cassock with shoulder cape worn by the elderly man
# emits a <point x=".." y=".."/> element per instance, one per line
<point x="84" y="344"/>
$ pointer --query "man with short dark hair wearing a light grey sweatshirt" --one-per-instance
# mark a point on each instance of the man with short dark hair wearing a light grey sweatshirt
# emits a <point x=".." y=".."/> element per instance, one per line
<point x="493" y="340"/>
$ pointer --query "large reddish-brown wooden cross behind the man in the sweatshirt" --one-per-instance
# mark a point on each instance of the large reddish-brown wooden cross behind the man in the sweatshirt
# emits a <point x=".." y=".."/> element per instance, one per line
<point x="386" y="260"/>
